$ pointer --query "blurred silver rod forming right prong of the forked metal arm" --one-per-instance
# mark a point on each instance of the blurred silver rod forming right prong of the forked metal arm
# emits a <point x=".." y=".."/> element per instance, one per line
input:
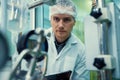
<point x="36" y="53"/>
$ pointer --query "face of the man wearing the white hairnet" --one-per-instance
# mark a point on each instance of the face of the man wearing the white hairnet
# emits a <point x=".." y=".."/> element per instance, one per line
<point x="62" y="25"/>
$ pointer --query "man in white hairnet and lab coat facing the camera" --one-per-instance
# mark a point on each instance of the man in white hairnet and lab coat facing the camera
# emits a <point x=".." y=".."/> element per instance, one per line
<point x="66" y="52"/>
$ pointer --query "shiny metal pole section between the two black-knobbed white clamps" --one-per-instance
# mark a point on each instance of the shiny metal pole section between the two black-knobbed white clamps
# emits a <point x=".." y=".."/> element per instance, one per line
<point x="103" y="37"/>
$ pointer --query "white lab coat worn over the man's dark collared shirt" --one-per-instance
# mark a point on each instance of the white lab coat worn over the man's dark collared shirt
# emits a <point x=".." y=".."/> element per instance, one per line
<point x="71" y="57"/>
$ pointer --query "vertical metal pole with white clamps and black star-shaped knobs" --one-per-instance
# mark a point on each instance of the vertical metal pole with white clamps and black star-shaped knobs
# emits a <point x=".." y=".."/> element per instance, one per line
<point x="103" y="23"/>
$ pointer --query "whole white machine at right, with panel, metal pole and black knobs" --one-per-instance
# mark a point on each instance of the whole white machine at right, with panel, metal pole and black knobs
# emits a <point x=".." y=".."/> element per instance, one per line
<point x="99" y="32"/>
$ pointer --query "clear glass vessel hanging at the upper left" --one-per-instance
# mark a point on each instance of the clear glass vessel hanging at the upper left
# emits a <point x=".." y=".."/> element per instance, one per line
<point x="18" y="18"/>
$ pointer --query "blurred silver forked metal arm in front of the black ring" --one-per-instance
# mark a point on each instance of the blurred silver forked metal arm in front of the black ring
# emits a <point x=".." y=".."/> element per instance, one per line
<point x="35" y="53"/>
